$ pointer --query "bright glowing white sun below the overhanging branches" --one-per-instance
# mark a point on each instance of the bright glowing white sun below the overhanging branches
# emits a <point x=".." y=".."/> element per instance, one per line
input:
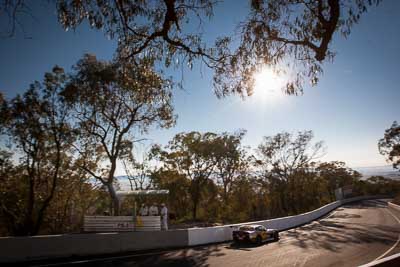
<point x="267" y="85"/>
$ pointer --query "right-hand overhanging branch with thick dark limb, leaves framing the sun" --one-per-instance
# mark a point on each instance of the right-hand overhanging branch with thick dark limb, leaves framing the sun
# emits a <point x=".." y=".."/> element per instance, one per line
<point x="293" y="38"/>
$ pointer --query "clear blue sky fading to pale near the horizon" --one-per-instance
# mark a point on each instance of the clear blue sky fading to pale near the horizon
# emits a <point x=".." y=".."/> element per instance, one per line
<point x="356" y="99"/>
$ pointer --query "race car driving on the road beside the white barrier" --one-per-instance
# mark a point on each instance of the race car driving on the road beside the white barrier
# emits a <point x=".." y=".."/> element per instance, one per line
<point x="254" y="234"/>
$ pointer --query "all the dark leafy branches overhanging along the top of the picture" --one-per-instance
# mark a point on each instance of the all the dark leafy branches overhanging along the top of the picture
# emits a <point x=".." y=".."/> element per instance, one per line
<point x="286" y="35"/>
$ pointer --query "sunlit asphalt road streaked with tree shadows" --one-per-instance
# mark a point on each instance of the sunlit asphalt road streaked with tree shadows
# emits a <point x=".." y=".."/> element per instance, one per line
<point x="350" y="236"/>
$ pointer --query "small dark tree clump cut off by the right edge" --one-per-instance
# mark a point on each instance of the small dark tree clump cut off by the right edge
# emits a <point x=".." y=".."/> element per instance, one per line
<point x="389" y="145"/>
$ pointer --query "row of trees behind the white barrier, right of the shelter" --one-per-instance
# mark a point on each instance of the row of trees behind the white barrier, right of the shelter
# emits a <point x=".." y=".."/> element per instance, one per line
<point x="283" y="180"/>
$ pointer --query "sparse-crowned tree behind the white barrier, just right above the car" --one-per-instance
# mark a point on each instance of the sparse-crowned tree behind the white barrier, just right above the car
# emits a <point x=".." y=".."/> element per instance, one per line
<point x="284" y="163"/>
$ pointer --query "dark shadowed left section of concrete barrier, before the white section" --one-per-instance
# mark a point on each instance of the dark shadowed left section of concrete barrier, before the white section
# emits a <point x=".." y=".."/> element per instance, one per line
<point x="55" y="246"/>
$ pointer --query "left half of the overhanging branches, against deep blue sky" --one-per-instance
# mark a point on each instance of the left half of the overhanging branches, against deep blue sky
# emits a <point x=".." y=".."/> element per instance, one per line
<point x="152" y="29"/>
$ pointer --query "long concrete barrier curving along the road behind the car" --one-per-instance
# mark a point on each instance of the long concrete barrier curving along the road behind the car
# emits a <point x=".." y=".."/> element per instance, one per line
<point x="38" y="247"/>
